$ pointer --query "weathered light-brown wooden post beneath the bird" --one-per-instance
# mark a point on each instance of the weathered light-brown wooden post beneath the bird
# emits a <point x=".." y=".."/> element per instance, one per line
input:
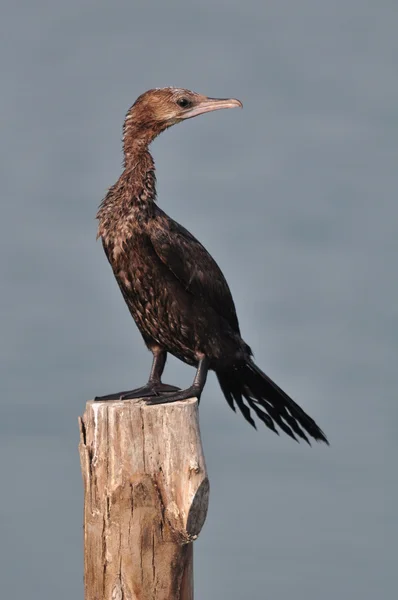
<point x="145" y="499"/>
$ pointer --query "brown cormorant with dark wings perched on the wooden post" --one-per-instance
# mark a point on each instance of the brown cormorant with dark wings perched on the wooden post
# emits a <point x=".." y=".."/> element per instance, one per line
<point x="173" y="288"/>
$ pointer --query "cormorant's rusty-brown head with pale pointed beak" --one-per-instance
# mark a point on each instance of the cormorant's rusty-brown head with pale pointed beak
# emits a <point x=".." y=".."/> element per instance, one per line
<point x="157" y="109"/>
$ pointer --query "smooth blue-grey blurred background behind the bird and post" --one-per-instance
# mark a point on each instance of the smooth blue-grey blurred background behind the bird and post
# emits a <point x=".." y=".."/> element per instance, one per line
<point x="295" y="196"/>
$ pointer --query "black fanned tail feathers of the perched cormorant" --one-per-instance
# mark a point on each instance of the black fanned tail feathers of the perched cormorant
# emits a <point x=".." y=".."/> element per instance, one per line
<point x="247" y="383"/>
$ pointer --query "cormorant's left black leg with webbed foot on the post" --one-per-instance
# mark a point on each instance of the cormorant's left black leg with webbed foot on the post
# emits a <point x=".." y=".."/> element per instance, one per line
<point x="154" y="387"/>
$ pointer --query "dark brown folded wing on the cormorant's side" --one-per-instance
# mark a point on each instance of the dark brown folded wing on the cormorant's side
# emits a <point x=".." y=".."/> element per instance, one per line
<point x="193" y="266"/>
